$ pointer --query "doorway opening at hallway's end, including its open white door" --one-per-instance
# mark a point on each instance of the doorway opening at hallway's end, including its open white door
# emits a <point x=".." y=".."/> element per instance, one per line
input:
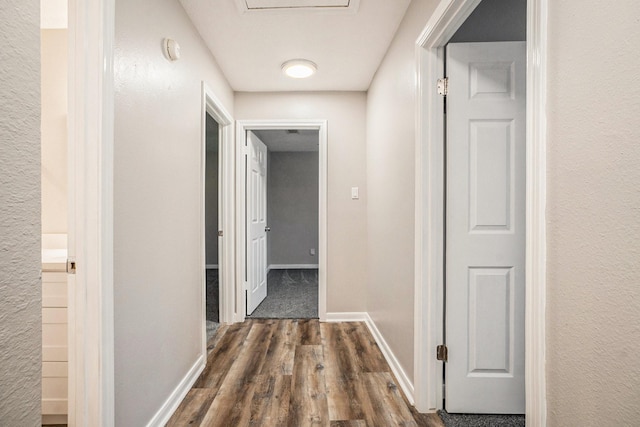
<point x="284" y="191"/>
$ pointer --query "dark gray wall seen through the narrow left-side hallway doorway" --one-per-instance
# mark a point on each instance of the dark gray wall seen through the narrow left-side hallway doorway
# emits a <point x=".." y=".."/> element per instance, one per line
<point x="211" y="192"/>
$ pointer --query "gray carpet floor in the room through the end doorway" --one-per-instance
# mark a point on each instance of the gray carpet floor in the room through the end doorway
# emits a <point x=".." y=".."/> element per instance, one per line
<point x="291" y="294"/>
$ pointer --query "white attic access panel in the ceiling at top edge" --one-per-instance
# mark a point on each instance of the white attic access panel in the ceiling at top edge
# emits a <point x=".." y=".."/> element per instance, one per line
<point x="298" y="5"/>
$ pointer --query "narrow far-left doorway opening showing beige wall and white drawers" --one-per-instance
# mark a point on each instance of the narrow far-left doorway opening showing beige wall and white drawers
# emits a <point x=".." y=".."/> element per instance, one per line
<point x="58" y="366"/>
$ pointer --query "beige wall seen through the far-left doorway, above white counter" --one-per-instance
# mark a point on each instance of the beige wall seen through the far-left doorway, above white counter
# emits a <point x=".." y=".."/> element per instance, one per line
<point x="54" y="130"/>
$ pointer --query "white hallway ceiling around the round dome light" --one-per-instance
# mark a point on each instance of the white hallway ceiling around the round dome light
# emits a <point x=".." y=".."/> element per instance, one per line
<point x="250" y="46"/>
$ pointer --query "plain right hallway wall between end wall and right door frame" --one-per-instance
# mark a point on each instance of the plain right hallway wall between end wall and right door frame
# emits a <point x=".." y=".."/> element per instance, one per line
<point x="391" y="143"/>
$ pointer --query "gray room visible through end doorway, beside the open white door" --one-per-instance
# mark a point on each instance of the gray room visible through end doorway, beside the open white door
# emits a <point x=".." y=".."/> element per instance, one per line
<point x="292" y="201"/>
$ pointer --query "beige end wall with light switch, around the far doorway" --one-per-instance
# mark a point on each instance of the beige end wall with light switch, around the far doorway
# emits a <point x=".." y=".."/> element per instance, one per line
<point x="347" y="219"/>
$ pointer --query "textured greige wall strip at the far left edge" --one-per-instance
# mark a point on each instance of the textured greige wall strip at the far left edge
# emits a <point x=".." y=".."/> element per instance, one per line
<point x="20" y="227"/>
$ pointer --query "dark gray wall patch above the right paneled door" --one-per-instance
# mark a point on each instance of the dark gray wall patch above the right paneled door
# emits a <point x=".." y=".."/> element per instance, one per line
<point x="494" y="21"/>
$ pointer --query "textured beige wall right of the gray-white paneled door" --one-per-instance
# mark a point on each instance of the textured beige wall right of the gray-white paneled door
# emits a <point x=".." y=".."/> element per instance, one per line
<point x="593" y="288"/>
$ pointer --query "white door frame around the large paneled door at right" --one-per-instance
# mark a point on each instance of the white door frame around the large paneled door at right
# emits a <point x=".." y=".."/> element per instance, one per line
<point x="429" y="270"/>
